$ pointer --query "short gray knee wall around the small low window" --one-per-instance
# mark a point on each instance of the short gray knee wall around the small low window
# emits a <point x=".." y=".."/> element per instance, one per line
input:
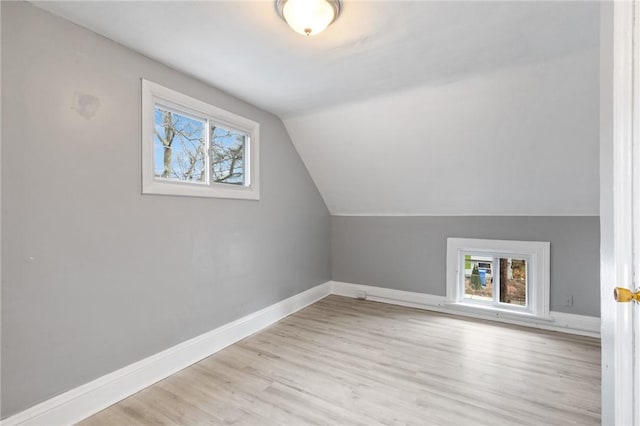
<point x="409" y="253"/>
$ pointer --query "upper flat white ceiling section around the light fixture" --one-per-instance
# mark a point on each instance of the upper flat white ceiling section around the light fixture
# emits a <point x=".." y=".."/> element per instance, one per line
<point x="373" y="48"/>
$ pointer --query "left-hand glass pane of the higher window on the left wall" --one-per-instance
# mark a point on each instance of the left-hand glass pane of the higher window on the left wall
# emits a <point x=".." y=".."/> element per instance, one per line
<point x="179" y="147"/>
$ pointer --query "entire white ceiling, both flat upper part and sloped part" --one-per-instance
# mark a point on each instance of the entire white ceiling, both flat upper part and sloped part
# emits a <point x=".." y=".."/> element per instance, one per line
<point x="402" y="107"/>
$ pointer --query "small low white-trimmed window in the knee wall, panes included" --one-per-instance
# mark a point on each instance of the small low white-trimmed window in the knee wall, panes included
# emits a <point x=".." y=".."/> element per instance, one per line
<point x="510" y="276"/>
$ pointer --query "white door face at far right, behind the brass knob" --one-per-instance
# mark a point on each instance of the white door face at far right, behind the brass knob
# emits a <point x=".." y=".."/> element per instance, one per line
<point x="625" y="124"/>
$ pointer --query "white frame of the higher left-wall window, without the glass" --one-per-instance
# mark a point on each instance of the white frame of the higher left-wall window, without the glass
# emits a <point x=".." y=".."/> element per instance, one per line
<point x="154" y="94"/>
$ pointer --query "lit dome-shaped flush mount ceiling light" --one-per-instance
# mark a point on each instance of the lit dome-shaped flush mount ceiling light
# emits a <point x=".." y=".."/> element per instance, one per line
<point x="308" y="17"/>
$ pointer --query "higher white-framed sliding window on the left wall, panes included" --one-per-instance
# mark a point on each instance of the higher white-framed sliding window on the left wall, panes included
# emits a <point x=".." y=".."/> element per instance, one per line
<point x="192" y="148"/>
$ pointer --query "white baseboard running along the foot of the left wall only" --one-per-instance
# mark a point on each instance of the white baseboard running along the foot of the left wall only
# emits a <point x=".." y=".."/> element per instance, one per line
<point x="86" y="400"/>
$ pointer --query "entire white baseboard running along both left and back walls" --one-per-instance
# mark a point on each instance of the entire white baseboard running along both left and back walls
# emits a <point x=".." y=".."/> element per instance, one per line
<point x="90" y="398"/>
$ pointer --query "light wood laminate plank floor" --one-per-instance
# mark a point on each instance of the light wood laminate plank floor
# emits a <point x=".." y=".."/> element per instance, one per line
<point x="344" y="361"/>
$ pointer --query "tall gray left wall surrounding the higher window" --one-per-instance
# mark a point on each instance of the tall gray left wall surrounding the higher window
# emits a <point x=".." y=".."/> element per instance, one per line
<point x="96" y="276"/>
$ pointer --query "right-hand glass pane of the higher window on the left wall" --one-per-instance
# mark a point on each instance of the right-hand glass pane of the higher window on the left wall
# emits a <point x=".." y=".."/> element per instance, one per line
<point x="227" y="156"/>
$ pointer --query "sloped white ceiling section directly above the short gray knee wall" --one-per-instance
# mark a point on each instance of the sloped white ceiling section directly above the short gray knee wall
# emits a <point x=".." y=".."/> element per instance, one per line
<point x="520" y="141"/>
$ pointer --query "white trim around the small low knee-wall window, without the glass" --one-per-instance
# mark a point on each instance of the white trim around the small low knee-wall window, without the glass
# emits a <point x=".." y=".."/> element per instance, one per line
<point x="538" y="283"/>
